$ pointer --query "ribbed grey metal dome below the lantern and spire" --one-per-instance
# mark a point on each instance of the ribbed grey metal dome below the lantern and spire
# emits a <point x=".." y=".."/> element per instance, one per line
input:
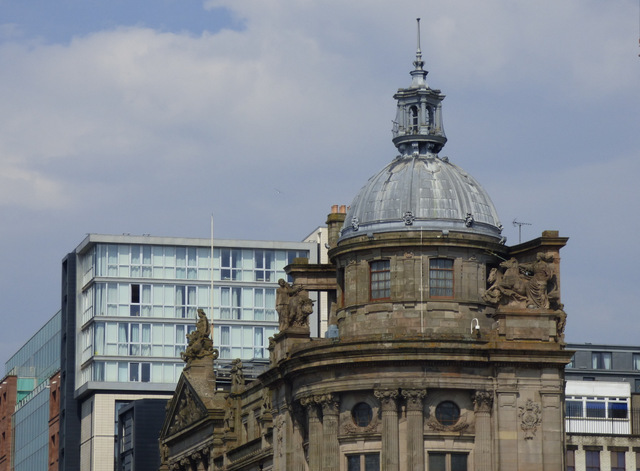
<point x="421" y="192"/>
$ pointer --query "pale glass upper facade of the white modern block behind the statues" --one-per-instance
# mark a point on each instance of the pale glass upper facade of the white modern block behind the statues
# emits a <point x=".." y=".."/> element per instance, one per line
<point x="137" y="298"/>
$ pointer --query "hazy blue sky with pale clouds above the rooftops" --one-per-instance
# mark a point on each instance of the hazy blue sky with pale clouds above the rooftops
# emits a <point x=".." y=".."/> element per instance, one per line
<point x="149" y="116"/>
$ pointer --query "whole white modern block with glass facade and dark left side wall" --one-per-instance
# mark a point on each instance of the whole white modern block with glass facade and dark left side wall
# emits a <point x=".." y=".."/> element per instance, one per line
<point x="128" y="303"/>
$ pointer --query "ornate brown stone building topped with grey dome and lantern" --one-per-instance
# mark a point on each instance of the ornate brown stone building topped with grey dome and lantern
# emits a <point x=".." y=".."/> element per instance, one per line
<point x="444" y="350"/>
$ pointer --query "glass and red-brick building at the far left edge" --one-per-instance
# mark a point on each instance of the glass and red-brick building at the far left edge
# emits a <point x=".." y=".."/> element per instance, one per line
<point x="25" y="402"/>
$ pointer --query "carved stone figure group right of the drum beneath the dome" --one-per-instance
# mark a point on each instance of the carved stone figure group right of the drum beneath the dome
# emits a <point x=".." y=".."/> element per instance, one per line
<point x="522" y="284"/>
